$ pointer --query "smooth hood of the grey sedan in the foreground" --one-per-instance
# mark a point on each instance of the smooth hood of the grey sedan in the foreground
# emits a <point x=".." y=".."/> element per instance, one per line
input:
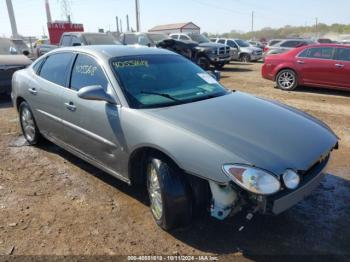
<point x="267" y="135"/>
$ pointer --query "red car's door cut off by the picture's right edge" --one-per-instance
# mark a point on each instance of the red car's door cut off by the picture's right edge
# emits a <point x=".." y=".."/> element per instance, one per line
<point x="342" y="66"/>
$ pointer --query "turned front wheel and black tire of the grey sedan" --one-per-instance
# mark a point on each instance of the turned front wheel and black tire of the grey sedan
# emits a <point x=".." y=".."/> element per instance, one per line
<point x="169" y="194"/>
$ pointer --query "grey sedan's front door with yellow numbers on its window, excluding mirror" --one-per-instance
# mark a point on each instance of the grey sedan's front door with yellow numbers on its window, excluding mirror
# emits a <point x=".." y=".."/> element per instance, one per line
<point x="92" y="127"/>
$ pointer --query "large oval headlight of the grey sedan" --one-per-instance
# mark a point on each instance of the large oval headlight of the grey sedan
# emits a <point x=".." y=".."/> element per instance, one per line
<point x="253" y="179"/>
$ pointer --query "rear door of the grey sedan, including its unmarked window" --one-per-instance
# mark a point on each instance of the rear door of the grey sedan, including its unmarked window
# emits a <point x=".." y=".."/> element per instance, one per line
<point x="45" y="91"/>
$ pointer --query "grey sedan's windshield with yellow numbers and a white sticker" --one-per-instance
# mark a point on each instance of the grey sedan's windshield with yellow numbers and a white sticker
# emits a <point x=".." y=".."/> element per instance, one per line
<point x="150" y="81"/>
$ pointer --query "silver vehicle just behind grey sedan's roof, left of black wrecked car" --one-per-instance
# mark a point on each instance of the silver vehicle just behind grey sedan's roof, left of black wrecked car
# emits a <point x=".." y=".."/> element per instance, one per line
<point x="146" y="39"/>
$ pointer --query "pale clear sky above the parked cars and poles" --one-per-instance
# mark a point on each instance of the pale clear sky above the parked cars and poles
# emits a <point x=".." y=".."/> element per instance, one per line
<point x="212" y="16"/>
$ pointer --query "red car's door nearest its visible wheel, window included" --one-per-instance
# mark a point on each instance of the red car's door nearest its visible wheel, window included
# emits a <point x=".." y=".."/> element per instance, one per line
<point x="316" y="66"/>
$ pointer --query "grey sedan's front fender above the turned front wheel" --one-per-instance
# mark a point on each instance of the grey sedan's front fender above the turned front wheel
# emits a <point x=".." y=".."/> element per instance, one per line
<point x="192" y="153"/>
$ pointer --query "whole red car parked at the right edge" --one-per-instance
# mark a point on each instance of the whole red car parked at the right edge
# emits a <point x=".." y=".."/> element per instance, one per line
<point x="325" y="65"/>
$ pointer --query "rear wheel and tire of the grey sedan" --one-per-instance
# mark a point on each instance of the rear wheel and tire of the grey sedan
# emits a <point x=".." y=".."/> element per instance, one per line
<point x="28" y="125"/>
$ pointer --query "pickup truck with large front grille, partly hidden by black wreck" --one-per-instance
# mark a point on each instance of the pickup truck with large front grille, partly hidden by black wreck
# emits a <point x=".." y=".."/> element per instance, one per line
<point x="217" y="55"/>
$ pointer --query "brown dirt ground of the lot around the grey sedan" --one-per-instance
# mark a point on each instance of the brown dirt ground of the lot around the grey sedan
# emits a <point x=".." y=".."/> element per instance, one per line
<point x="53" y="203"/>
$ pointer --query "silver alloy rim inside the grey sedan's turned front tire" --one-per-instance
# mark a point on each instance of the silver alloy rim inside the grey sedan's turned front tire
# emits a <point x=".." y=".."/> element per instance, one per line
<point x="155" y="192"/>
